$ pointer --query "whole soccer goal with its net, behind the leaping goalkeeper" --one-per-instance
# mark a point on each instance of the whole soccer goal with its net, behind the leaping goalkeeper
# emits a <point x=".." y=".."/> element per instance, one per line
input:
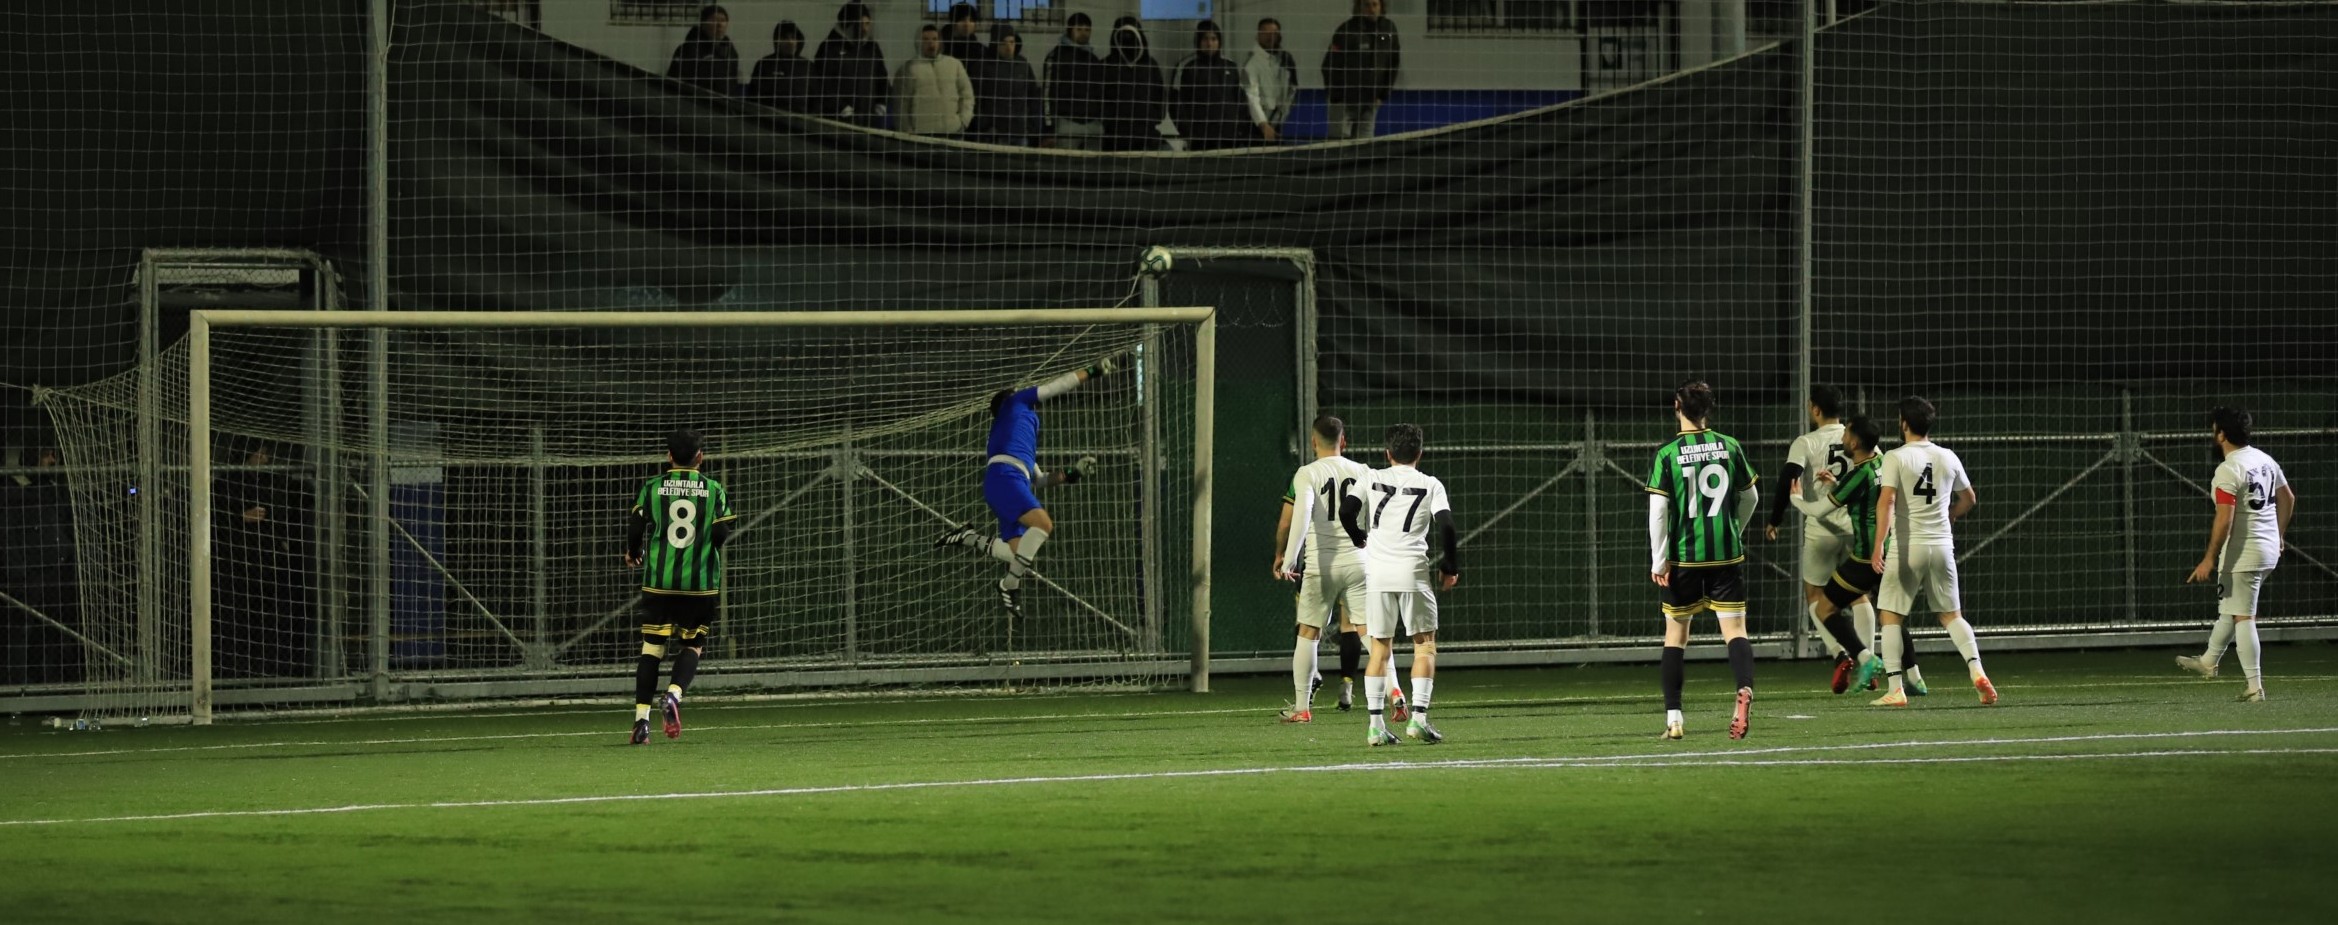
<point x="403" y="508"/>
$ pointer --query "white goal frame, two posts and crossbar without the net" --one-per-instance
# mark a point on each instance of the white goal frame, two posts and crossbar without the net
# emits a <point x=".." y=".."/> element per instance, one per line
<point x="200" y="464"/>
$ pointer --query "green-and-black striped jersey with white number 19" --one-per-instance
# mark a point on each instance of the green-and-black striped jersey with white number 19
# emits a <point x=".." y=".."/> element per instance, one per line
<point x="1701" y="473"/>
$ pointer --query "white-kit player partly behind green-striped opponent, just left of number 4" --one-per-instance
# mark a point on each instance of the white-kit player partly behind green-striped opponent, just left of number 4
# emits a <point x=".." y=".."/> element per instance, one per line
<point x="1825" y="536"/>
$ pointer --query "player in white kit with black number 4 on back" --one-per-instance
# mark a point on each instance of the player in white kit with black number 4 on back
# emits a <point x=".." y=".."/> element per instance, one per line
<point x="1925" y="492"/>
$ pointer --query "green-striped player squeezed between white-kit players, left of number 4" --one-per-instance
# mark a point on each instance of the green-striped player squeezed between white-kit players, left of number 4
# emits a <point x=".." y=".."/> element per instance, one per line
<point x="1853" y="585"/>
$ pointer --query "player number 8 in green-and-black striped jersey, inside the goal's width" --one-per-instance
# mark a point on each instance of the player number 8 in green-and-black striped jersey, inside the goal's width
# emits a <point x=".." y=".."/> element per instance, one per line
<point x="677" y="534"/>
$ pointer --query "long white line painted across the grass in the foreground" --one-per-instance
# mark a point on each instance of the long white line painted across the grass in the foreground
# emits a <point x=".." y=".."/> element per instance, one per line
<point x="1458" y="765"/>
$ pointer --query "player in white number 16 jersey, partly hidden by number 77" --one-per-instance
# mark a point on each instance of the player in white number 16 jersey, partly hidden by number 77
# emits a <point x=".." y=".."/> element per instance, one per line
<point x="1327" y="566"/>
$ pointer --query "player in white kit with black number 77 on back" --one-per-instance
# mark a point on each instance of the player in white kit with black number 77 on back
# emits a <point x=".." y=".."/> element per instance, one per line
<point x="1390" y="517"/>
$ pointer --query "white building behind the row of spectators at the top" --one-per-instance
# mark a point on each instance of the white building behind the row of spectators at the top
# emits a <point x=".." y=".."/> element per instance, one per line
<point x="1448" y="46"/>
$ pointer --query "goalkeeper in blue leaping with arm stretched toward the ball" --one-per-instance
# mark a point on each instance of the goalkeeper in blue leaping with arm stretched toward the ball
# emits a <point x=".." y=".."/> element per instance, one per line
<point x="1011" y="480"/>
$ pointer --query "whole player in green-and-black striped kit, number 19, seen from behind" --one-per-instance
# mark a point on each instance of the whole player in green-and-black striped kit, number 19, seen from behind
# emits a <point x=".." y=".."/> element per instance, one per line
<point x="1701" y="499"/>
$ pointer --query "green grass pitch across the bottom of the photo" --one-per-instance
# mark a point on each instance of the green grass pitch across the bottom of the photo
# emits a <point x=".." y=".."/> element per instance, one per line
<point x="2108" y="788"/>
